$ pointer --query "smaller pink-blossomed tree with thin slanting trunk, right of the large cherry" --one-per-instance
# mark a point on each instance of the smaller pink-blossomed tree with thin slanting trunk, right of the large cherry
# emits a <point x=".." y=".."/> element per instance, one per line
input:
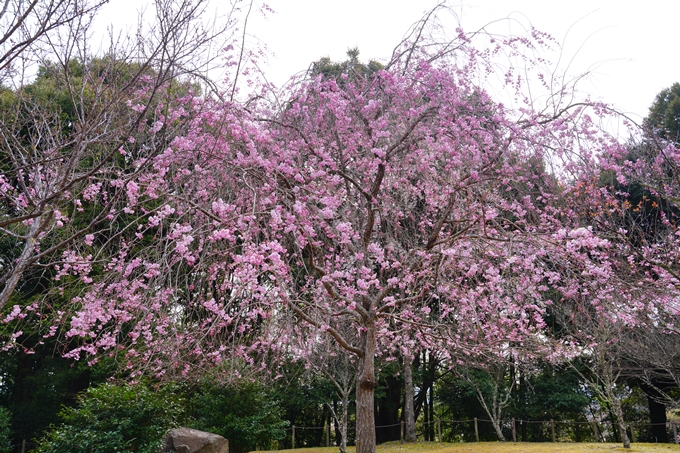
<point x="623" y="282"/>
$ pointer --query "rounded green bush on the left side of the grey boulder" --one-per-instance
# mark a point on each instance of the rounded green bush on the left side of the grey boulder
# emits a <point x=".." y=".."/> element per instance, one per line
<point x="115" y="418"/>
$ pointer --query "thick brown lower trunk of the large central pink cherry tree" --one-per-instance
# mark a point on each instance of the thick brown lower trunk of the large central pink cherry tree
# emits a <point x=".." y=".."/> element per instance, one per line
<point x="366" y="383"/>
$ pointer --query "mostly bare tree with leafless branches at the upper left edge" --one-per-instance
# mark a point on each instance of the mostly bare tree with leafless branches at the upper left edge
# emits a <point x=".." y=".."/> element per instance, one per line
<point x="61" y="151"/>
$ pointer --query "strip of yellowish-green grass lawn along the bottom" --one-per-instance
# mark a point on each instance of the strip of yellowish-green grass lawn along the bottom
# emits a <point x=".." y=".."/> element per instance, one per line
<point x="506" y="447"/>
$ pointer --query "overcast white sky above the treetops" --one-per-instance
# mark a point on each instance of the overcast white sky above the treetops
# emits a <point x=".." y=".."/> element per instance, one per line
<point x="631" y="47"/>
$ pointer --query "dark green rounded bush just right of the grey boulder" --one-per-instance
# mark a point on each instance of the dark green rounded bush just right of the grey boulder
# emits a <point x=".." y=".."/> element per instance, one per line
<point x="247" y="415"/>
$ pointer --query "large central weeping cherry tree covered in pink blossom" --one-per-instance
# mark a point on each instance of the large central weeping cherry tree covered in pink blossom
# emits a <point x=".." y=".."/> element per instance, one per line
<point x="379" y="210"/>
